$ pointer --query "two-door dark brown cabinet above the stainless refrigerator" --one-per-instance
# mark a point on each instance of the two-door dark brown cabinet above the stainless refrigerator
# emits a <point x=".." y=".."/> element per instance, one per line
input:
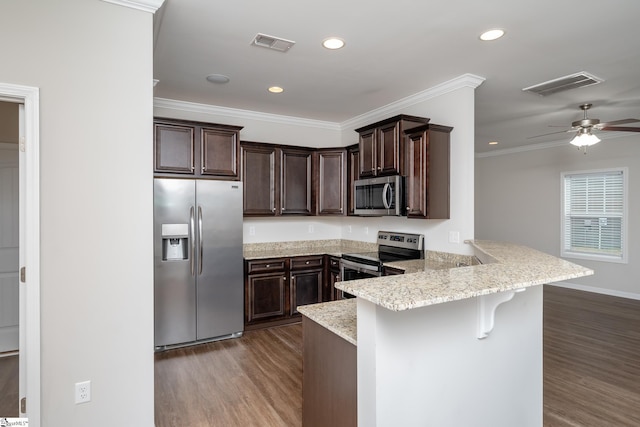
<point x="200" y="150"/>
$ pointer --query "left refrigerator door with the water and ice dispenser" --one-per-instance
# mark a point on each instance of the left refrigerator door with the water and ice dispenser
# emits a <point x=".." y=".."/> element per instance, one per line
<point x="174" y="275"/>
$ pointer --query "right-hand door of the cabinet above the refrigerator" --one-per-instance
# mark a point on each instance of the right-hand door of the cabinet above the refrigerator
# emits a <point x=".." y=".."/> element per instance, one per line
<point x="220" y="152"/>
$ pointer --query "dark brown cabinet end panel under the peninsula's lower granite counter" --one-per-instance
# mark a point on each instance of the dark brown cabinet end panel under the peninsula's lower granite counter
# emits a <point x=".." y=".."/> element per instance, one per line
<point x="329" y="378"/>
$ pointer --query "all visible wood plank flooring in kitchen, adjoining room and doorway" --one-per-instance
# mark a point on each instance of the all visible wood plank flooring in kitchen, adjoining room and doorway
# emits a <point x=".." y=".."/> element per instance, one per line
<point x="591" y="371"/>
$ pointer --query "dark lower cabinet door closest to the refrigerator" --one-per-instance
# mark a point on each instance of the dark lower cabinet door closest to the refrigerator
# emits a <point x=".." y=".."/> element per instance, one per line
<point x="266" y="296"/>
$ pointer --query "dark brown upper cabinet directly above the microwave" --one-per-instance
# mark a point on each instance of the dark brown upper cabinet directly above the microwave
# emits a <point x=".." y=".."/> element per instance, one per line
<point x="382" y="145"/>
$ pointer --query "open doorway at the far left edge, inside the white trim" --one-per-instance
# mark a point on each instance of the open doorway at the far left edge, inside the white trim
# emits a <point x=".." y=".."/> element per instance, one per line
<point x="9" y="257"/>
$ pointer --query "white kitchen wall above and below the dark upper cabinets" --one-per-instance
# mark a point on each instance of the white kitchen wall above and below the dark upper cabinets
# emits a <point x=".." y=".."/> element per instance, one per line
<point x="454" y="108"/>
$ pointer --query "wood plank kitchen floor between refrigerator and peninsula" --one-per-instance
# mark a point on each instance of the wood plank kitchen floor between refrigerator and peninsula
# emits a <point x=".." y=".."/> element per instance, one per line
<point x="255" y="380"/>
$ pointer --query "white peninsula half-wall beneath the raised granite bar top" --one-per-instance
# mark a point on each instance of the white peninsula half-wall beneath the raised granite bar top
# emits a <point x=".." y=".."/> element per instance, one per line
<point x="427" y="366"/>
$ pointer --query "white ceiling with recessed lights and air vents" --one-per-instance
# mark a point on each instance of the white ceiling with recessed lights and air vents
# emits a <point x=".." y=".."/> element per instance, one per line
<point x="395" y="49"/>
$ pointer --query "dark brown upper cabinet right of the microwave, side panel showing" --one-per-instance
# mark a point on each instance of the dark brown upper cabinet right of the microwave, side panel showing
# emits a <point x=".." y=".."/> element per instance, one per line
<point x="428" y="171"/>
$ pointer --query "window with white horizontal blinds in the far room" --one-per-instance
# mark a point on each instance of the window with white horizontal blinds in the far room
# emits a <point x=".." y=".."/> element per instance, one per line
<point x="594" y="215"/>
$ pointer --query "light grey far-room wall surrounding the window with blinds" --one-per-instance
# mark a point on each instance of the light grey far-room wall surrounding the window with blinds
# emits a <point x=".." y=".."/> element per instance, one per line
<point x="518" y="200"/>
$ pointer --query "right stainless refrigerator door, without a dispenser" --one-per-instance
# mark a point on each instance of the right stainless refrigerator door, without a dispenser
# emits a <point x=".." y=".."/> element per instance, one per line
<point x="220" y="289"/>
